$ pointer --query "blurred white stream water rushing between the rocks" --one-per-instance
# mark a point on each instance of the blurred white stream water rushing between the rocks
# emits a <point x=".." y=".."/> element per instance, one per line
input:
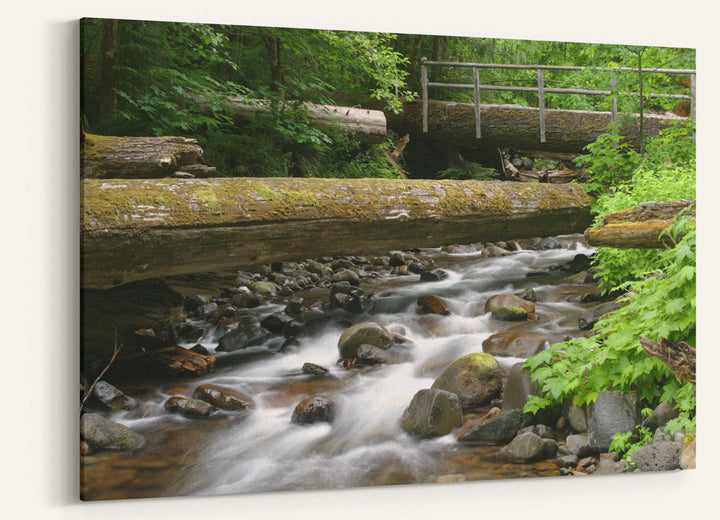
<point x="264" y="451"/>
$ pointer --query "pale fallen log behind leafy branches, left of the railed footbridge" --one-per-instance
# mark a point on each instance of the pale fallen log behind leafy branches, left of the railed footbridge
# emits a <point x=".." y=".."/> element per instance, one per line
<point x="366" y="125"/>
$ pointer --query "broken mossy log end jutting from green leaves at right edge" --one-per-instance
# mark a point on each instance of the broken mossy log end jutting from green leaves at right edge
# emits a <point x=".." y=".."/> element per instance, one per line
<point x="640" y="227"/>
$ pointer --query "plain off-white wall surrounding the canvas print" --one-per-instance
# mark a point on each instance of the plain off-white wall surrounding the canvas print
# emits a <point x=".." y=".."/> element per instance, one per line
<point x="39" y="373"/>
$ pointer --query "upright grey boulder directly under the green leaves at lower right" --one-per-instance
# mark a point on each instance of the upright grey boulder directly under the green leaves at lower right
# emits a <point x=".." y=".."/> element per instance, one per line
<point x="612" y="412"/>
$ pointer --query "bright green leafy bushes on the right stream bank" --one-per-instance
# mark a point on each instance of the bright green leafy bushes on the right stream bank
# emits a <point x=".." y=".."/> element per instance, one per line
<point x="661" y="304"/>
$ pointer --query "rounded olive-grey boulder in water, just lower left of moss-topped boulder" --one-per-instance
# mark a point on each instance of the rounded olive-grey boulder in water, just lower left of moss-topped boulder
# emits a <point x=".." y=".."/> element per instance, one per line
<point x="432" y="413"/>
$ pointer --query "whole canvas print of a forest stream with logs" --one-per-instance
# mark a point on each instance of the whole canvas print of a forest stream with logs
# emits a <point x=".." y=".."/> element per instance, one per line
<point x="319" y="259"/>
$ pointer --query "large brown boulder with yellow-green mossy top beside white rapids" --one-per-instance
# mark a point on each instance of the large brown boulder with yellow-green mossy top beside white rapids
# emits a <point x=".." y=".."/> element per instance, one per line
<point x="476" y="379"/>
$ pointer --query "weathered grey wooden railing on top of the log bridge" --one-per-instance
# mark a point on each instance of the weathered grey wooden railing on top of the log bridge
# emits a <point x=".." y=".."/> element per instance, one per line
<point x="541" y="89"/>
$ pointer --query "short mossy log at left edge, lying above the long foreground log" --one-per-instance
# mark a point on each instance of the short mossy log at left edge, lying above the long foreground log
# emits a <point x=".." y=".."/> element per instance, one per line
<point x="103" y="156"/>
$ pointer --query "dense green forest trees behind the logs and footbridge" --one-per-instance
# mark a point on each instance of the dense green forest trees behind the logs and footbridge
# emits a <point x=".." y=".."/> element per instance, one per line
<point x="158" y="78"/>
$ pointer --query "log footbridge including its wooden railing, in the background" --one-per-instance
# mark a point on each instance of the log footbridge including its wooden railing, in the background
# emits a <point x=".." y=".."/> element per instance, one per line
<point x="478" y="129"/>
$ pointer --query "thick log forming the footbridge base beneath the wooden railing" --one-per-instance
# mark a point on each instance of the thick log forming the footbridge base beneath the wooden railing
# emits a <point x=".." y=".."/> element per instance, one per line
<point x="517" y="127"/>
